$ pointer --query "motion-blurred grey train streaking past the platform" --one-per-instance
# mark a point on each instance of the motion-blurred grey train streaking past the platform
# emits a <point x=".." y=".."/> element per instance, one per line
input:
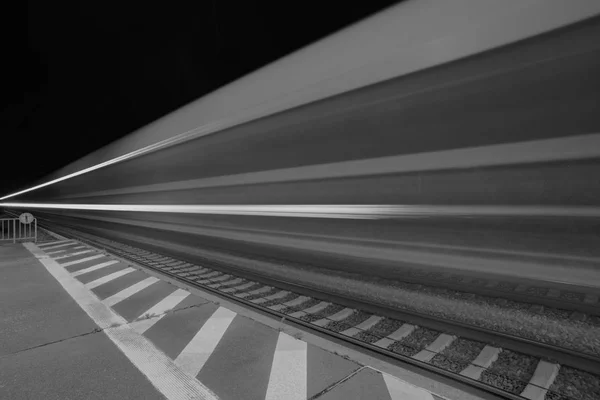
<point x="467" y="126"/>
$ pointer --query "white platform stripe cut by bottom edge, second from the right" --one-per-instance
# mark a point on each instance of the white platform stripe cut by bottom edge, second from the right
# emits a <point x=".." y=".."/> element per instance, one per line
<point x="288" y="379"/>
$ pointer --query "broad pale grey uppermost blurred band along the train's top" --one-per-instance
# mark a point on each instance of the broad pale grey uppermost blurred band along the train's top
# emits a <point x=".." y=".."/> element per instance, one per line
<point x="359" y="69"/>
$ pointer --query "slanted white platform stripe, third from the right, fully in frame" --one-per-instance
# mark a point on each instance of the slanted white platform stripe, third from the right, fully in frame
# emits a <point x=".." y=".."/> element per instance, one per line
<point x="193" y="357"/>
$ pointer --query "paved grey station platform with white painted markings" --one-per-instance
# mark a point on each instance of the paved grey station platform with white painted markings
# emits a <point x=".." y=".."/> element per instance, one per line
<point x="76" y="323"/>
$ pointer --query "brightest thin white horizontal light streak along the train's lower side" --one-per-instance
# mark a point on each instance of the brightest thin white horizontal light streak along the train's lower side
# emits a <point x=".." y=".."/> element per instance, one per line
<point x="334" y="211"/>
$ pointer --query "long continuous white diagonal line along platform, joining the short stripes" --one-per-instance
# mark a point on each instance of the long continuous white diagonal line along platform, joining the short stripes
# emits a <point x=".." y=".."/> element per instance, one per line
<point x="161" y="371"/>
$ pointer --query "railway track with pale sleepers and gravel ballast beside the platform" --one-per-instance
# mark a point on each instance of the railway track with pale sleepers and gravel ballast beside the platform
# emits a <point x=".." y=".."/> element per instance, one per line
<point x="505" y="365"/>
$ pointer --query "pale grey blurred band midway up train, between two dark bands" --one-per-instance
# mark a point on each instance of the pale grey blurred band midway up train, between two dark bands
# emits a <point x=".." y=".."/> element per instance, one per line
<point x="578" y="147"/>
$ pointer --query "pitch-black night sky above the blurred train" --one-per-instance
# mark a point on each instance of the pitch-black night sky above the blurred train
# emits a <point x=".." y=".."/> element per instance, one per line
<point x="86" y="73"/>
